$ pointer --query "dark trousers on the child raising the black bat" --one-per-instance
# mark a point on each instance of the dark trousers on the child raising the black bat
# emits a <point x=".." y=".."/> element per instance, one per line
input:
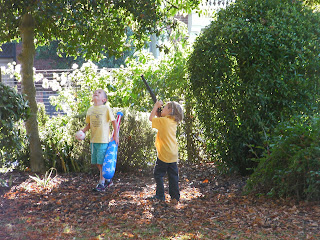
<point x="160" y="171"/>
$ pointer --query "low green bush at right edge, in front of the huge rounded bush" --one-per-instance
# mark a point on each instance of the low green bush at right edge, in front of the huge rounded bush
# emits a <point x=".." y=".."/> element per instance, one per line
<point x="291" y="166"/>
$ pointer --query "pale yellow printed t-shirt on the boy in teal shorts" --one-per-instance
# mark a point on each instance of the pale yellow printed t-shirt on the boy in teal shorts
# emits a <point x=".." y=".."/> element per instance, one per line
<point x="99" y="118"/>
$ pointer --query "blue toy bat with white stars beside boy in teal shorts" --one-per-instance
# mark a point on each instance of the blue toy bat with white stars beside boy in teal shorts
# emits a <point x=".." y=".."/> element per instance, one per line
<point x="110" y="159"/>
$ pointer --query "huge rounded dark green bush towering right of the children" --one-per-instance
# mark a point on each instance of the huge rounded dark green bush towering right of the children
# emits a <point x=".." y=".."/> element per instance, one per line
<point x="256" y="65"/>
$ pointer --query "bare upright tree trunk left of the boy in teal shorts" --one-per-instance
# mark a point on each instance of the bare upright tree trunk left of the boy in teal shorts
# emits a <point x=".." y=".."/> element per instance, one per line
<point x="28" y="88"/>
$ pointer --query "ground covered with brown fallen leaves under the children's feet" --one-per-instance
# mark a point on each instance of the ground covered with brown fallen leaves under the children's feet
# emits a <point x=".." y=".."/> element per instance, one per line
<point x="211" y="207"/>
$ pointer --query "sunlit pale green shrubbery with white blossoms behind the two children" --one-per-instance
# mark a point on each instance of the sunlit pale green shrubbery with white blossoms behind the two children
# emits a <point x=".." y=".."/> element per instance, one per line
<point x="126" y="93"/>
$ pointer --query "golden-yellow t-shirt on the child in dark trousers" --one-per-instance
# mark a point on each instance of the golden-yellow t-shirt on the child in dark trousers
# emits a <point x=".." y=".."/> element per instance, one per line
<point x="166" y="141"/>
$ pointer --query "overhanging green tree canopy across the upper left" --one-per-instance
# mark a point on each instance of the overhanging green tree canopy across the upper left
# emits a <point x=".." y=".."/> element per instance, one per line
<point x="91" y="27"/>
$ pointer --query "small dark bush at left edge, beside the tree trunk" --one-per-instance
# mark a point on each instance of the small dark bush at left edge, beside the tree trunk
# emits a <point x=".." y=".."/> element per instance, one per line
<point x="13" y="108"/>
